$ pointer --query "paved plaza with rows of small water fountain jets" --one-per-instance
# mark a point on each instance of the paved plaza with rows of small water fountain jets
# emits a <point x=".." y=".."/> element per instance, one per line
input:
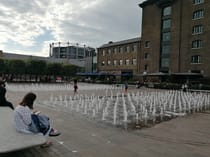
<point x="104" y="121"/>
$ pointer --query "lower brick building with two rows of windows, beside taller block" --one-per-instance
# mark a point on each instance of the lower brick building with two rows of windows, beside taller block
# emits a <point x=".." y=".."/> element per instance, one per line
<point x="119" y="58"/>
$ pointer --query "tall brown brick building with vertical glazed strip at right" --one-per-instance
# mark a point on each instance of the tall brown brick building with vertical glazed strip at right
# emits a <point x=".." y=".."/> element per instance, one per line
<point x="175" y="37"/>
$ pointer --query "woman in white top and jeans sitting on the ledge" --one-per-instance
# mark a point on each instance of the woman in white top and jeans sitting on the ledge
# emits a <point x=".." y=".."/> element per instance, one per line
<point x="28" y="121"/>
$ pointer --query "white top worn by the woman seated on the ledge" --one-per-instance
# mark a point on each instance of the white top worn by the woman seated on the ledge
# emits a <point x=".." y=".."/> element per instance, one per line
<point x="22" y="118"/>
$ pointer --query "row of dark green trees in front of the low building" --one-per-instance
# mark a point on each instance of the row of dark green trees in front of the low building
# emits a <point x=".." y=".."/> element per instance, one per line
<point x="37" y="67"/>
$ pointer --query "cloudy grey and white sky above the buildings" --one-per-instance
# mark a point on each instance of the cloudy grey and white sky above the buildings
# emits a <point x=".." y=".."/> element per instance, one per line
<point x="29" y="26"/>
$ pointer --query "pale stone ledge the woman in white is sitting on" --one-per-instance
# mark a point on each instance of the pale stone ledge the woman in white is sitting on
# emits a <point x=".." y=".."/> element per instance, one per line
<point x="10" y="139"/>
